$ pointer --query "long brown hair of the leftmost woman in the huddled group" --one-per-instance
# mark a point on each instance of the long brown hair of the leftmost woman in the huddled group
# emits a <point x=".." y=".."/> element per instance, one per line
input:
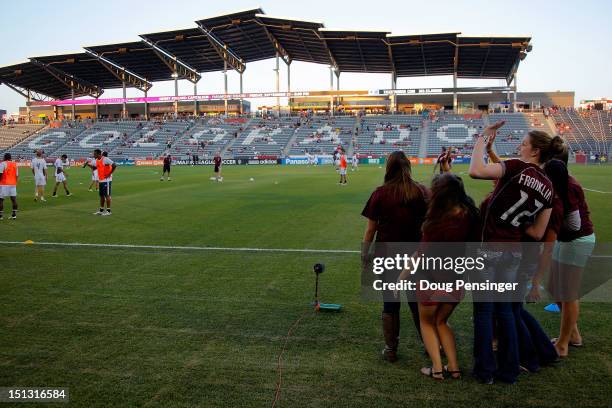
<point x="398" y="178"/>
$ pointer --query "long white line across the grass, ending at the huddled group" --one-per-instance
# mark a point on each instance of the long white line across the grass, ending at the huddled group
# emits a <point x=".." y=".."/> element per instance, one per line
<point x="199" y="248"/>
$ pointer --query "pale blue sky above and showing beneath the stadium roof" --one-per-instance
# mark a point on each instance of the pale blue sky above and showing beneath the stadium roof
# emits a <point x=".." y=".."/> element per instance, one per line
<point x="572" y="50"/>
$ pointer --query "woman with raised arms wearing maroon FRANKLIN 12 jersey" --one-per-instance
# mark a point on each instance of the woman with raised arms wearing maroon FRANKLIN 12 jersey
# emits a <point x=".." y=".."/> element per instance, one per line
<point x="523" y="193"/>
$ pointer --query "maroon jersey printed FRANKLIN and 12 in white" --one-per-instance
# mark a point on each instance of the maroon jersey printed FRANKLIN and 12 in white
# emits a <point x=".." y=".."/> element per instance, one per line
<point x="521" y="193"/>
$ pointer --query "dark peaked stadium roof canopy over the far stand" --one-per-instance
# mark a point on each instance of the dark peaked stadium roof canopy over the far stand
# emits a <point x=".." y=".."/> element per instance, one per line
<point x="232" y="40"/>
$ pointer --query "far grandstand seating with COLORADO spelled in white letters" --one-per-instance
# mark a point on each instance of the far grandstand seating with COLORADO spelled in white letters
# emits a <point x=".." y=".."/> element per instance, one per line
<point x="371" y="135"/>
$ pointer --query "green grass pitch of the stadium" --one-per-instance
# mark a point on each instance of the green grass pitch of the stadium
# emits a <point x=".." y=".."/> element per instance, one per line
<point x="188" y="327"/>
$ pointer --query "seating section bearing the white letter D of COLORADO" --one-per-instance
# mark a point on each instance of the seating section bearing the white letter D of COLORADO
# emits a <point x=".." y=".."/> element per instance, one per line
<point x="383" y="134"/>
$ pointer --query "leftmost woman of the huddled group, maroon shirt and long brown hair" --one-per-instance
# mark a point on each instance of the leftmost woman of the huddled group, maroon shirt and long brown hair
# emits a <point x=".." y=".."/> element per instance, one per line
<point x="395" y="213"/>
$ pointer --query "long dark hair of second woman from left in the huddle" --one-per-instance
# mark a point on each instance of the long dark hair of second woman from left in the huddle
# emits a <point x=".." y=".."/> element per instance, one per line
<point x="447" y="195"/>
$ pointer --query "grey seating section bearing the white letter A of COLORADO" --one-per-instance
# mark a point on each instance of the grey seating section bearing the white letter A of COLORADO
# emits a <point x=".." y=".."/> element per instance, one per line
<point x="323" y="134"/>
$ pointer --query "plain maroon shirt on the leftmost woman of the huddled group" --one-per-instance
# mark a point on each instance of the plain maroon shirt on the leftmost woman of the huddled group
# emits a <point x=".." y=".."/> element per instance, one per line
<point x="396" y="221"/>
